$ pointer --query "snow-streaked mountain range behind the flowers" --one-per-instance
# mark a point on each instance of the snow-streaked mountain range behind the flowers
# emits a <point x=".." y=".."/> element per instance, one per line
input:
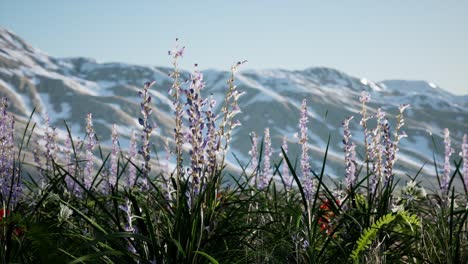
<point x="68" y="88"/>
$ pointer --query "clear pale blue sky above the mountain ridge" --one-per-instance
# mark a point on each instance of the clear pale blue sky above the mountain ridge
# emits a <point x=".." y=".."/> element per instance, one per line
<point x="422" y="40"/>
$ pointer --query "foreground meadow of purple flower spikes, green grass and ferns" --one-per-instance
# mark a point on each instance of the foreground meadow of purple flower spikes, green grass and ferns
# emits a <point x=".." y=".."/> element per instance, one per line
<point x="76" y="209"/>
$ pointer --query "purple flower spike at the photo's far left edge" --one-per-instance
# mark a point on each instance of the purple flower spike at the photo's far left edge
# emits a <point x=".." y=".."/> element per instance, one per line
<point x="10" y="182"/>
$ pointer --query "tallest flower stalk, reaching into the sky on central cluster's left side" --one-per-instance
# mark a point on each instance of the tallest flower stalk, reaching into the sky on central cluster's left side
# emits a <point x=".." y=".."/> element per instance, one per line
<point x="175" y="92"/>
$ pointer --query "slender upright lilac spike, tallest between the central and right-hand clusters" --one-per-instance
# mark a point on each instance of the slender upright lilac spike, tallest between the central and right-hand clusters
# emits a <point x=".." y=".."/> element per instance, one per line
<point x="305" y="167"/>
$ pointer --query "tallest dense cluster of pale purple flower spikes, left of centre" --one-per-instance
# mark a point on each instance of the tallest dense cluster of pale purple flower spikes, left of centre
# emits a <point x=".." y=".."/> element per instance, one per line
<point x="200" y="131"/>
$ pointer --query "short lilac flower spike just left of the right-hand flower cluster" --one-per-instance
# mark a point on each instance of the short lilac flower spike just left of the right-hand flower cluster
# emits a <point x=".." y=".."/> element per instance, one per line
<point x="350" y="155"/>
